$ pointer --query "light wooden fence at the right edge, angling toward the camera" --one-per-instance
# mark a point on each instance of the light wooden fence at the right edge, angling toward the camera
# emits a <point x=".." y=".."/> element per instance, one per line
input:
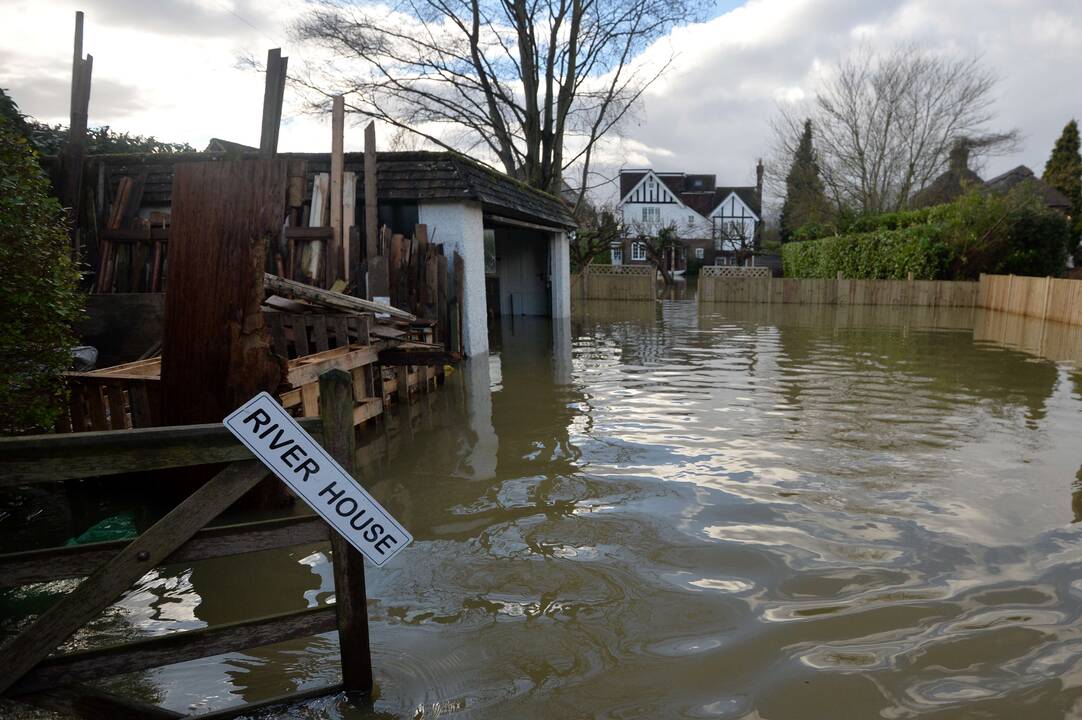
<point x="1045" y="298"/>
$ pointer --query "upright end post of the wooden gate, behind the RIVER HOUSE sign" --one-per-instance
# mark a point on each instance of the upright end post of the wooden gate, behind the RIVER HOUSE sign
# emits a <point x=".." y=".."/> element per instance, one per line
<point x="351" y="604"/>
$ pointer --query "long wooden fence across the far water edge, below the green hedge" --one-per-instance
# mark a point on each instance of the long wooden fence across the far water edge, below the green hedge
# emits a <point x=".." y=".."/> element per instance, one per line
<point x="837" y="292"/>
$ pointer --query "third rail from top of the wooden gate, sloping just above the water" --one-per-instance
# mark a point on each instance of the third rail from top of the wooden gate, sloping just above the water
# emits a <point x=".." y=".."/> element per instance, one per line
<point x="89" y="665"/>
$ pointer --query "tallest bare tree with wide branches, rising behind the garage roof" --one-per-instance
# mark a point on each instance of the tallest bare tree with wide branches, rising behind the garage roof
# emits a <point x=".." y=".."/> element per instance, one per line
<point x="534" y="84"/>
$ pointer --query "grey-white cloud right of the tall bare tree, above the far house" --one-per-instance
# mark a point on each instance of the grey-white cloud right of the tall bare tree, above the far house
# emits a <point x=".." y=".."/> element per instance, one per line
<point x="711" y="113"/>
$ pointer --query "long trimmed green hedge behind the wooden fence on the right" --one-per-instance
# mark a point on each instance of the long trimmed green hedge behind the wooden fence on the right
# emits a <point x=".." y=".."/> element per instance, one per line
<point x="980" y="233"/>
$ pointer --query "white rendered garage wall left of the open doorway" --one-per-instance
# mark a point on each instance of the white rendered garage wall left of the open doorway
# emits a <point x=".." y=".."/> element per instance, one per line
<point x="460" y="228"/>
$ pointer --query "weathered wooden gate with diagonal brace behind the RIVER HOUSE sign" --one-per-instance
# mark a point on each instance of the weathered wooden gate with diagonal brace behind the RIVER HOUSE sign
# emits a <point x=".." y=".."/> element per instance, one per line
<point x="34" y="675"/>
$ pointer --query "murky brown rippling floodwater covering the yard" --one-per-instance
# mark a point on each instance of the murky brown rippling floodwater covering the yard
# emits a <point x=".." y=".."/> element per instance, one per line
<point x="659" y="513"/>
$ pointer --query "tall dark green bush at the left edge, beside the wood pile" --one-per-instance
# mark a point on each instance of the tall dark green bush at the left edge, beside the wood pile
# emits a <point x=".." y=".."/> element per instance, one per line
<point x="39" y="294"/>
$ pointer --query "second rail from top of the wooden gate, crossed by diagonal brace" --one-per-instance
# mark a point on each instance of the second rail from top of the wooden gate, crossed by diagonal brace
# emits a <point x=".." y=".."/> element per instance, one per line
<point x="69" y="561"/>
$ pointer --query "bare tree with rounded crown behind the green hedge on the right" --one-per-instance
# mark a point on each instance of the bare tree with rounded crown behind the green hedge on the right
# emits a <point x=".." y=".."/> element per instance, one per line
<point x="886" y="124"/>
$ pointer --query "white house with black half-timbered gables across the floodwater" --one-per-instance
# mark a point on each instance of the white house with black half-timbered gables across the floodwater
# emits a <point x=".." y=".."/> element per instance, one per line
<point x="716" y="225"/>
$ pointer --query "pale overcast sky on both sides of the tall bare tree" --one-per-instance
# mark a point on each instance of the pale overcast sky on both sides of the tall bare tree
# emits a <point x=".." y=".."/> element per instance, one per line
<point x="169" y="69"/>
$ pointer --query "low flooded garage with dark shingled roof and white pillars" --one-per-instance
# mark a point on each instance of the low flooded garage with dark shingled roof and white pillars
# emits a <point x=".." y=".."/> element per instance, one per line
<point x="466" y="205"/>
